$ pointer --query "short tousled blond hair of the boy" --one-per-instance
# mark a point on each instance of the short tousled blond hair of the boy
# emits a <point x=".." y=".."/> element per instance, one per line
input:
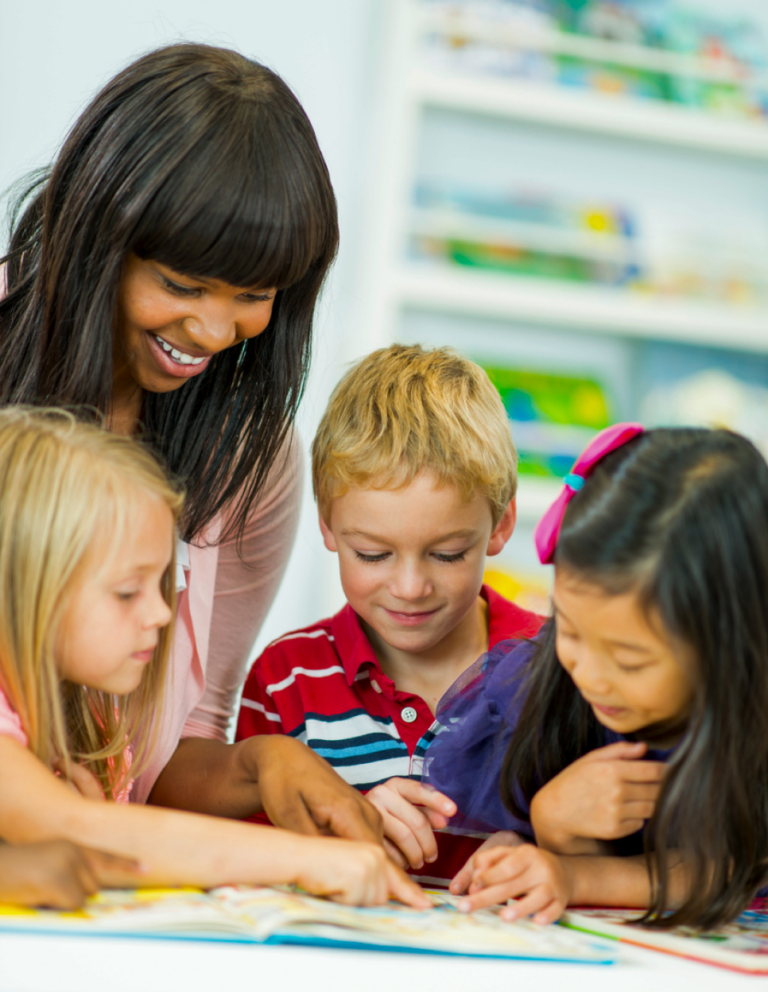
<point x="402" y="410"/>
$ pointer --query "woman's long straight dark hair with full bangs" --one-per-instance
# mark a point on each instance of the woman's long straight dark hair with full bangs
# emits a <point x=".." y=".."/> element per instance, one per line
<point x="204" y="161"/>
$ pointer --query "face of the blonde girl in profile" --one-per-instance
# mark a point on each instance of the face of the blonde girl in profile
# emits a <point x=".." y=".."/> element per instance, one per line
<point x="116" y="610"/>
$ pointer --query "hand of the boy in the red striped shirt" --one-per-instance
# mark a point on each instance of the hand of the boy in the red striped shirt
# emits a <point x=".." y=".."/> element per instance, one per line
<point x="408" y="836"/>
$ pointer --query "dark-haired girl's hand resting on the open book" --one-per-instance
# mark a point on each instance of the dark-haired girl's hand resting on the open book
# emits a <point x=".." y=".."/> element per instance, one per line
<point x="540" y="882"/>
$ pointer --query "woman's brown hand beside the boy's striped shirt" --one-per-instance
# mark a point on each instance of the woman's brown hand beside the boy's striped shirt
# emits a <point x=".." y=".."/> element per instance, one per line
<point x="300" y="791"/>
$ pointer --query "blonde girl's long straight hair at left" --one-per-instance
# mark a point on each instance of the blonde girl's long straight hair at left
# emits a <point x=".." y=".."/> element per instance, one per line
<point x="69" y="492"/>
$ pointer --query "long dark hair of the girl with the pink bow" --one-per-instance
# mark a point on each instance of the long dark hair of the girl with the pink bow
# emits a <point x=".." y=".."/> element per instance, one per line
<point x="680" y="516"/>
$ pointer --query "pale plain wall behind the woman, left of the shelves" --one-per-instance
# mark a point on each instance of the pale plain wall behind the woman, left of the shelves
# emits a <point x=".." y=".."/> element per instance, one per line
<point x="55" y="55"/>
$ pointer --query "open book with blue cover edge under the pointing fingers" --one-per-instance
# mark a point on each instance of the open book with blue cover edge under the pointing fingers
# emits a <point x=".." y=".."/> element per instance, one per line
<point x="284" y="916"/>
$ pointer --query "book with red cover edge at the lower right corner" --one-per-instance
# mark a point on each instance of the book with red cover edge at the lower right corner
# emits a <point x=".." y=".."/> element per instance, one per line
<point x="740" y="946"/>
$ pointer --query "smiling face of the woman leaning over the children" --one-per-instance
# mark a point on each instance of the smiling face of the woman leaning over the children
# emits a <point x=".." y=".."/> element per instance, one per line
<point x="171" y="325"/>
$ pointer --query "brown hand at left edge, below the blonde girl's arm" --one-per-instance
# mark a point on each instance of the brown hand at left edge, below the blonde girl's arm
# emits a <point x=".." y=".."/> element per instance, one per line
<point x="59" y="874"/>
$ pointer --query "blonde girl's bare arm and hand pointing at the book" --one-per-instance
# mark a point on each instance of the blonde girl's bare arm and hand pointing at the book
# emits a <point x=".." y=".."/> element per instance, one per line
<point x="177" y="848"/>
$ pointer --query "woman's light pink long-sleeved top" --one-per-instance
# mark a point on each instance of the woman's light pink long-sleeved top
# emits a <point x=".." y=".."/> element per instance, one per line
<point x="220" y="612"/>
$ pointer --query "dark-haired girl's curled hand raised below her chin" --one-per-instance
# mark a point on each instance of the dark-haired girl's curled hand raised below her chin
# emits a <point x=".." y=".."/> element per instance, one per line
<point x="607" y="794"/>
